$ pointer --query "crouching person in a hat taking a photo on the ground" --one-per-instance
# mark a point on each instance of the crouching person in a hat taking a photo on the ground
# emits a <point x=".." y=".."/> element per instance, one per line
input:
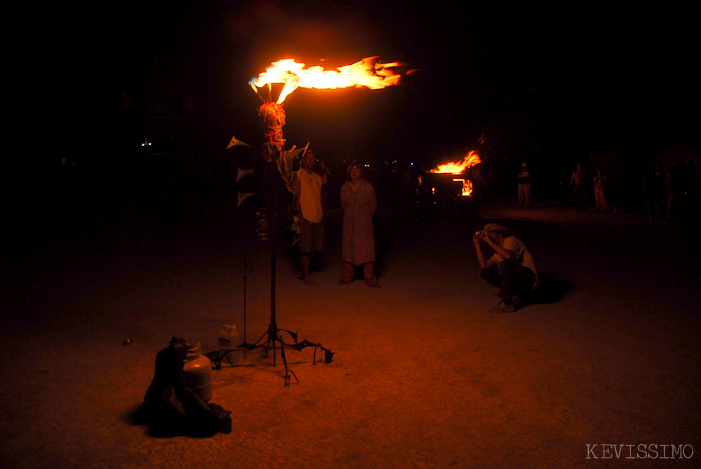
<point x="511" y="267"/>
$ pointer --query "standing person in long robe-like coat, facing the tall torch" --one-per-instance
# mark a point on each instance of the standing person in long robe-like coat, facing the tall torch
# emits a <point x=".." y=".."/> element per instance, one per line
<point x="358" y="246"/>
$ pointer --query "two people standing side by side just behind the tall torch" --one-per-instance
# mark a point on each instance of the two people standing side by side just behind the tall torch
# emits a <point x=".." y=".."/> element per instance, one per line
<point x="359" y="203"/>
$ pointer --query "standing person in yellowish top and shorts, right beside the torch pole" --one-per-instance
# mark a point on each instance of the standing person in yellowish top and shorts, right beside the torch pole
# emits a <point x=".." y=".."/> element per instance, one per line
<point x="307" y="185"/>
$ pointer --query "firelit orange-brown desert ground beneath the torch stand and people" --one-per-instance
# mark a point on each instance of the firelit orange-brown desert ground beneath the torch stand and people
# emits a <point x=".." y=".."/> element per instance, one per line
<point x="600" y="368"/>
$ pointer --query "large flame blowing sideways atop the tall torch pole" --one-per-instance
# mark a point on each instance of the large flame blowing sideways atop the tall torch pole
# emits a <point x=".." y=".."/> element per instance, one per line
<point x="366" y="73"/>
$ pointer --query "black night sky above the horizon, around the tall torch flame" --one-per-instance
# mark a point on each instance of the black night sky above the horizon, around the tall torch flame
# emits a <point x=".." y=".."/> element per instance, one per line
<point x="551" y="85"/>
